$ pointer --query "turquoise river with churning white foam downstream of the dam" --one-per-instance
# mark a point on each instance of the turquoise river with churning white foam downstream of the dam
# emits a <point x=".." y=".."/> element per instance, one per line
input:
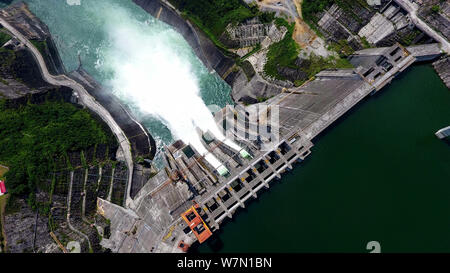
<point x="159" y="66"/>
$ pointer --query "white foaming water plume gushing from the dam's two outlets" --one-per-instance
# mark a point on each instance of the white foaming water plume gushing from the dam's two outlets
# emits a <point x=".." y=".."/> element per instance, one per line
<point x="156" y="79"/>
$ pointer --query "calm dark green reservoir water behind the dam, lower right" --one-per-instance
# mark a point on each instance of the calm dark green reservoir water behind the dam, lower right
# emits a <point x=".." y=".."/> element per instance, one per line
<point x="380" y="174"/>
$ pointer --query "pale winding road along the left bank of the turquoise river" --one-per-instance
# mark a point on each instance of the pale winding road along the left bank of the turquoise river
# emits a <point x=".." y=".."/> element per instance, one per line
<point x="84" y="98"/>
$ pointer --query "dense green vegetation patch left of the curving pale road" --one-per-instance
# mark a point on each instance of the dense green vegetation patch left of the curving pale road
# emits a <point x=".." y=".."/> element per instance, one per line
<point x="33" y="137"/>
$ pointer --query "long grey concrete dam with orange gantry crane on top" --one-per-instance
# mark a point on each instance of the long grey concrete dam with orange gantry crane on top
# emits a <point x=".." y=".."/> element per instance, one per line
<point x="188" y="199"/>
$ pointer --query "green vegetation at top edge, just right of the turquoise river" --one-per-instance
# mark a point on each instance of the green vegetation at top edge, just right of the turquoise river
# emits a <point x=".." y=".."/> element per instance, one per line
<point x="212" y="16"/>
